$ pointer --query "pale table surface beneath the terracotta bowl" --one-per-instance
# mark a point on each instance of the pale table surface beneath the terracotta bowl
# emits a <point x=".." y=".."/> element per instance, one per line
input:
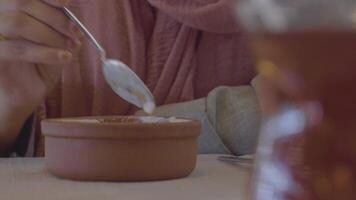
<point x="28" y="179"/>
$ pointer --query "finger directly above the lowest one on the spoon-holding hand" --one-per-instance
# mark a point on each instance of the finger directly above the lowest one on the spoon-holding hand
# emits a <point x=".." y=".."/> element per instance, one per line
<point x="20" y="25"/>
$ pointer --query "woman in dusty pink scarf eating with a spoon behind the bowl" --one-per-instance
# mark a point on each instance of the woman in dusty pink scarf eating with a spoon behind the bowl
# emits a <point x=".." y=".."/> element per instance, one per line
<point x="181" y="49"/>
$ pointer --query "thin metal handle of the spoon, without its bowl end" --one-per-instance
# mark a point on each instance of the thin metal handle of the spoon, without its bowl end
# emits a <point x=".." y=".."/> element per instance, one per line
<point x="85" y="31"/>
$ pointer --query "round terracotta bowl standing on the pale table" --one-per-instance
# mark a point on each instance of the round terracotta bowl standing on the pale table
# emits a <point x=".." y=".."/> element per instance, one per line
<point x="120" y="148"/>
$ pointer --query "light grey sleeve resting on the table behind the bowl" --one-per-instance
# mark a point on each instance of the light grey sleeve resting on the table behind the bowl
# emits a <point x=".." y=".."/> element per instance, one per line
<point x="230" y="118"/>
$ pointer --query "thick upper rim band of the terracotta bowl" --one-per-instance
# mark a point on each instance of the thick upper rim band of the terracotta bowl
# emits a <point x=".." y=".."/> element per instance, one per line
<point x="76" y="129"/>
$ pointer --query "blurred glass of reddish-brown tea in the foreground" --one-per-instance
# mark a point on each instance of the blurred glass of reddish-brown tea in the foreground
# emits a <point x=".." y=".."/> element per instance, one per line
<point x="305" y="53"/>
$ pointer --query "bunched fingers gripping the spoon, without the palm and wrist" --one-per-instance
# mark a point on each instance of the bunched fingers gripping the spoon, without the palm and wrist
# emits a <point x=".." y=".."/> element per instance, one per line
<point x="38" y="32"/>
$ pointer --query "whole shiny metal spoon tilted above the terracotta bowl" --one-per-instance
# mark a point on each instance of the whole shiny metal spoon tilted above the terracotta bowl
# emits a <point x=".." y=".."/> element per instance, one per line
<point x="122" y="80"/>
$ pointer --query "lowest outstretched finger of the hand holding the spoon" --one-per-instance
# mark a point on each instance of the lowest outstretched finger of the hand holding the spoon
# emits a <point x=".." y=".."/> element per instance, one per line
<point x="20" y="50"/>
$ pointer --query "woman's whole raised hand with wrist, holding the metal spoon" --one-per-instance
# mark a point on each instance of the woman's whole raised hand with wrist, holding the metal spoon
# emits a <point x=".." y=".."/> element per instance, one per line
<point x="40" y="40"/>
